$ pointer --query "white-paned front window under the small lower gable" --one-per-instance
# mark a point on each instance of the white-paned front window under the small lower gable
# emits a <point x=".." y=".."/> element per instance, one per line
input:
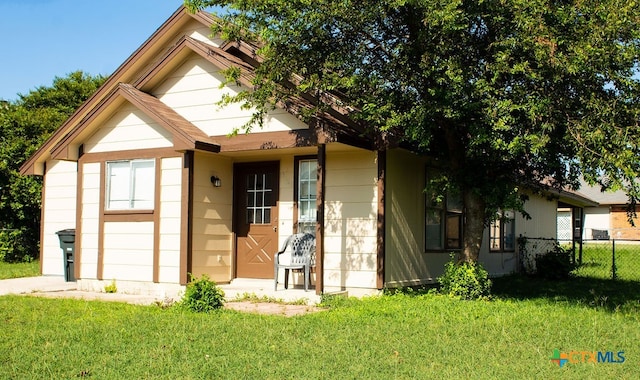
<point x="130" y="185"/>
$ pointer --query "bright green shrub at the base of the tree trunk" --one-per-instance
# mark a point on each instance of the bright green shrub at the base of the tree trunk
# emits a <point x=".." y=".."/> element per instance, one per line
<point x="465" y="280"/>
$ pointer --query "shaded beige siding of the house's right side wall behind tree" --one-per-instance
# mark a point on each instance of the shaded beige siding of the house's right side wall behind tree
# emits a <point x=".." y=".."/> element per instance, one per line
<point x="406" y="261"/>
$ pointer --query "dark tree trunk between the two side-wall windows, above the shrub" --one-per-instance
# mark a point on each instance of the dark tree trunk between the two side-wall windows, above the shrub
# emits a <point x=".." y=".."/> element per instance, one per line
<point x="473" y="230"/>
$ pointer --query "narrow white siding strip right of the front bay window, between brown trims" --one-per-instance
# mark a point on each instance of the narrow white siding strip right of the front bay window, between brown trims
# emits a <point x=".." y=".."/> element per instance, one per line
<point x="170" y="226"/>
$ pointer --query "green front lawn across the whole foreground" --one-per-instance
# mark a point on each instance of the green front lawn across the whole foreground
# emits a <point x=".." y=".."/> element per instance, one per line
<point x="404" y="336"/>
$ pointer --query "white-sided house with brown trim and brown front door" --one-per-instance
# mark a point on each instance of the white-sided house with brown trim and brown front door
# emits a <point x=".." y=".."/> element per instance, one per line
<point x="146" y="173"/>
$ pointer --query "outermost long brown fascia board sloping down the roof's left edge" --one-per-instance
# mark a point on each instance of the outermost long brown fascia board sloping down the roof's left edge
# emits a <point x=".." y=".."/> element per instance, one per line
<point x="119" y="75"/>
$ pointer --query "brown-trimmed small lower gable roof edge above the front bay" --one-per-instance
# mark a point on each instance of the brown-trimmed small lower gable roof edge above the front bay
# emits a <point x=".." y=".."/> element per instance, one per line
<point x="186" y="136"/>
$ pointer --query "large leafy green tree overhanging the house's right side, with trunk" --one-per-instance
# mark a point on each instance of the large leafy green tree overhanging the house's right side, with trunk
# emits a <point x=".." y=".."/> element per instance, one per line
<point x="505" y="94"/>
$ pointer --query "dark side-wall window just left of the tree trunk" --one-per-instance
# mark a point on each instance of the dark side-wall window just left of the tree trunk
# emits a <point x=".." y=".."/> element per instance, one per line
<point x="443" y="222"/>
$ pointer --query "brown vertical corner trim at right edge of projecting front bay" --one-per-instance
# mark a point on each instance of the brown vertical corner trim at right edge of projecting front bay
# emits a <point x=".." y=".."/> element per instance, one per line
<point x="186" y="218"/>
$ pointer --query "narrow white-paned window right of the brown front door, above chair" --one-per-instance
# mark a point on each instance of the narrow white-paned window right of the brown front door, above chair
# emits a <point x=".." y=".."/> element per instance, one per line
<point x="307" y="180"/>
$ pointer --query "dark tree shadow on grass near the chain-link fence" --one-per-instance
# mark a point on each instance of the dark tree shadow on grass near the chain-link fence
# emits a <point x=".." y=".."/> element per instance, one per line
<point x="605" y="294"/>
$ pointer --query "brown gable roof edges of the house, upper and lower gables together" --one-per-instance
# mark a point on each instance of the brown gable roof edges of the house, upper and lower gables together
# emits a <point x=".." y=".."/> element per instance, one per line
<point x="145" y="68"/>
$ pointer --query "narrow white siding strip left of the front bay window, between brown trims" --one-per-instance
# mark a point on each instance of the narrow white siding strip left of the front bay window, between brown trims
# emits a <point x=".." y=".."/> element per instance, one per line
<point x="91" y="177"/>
